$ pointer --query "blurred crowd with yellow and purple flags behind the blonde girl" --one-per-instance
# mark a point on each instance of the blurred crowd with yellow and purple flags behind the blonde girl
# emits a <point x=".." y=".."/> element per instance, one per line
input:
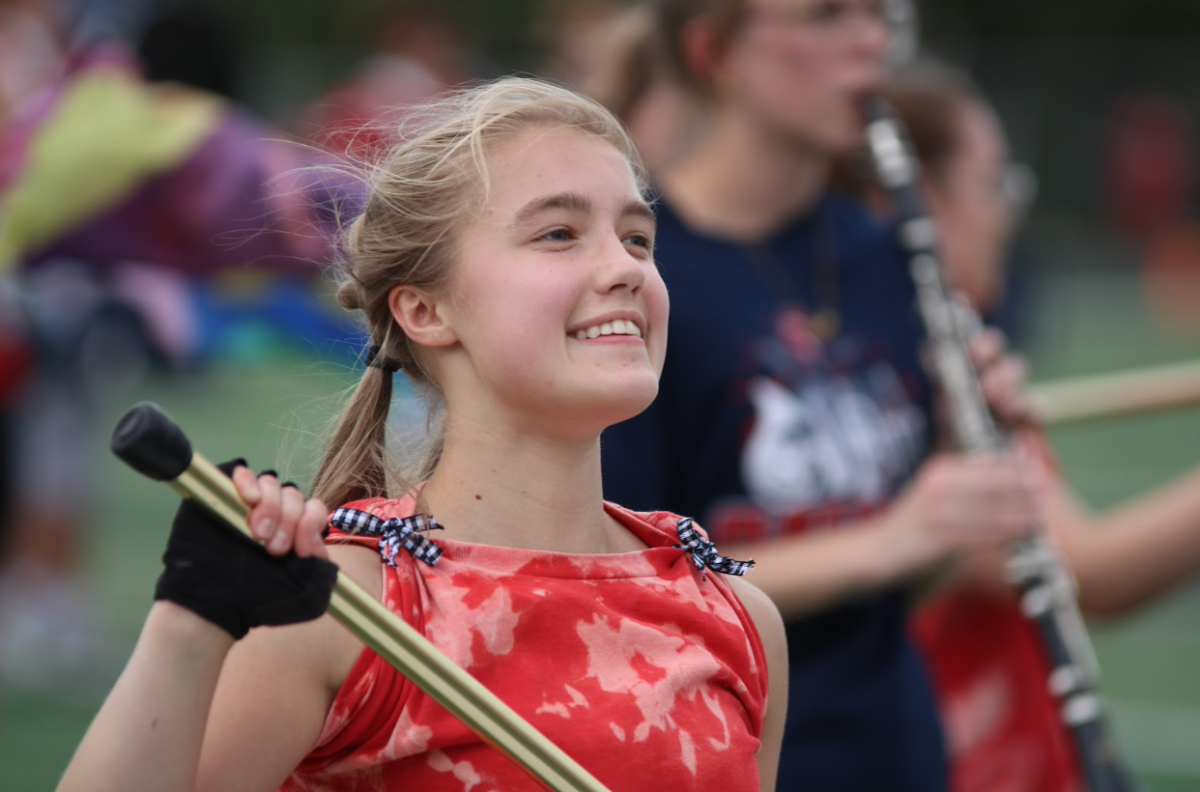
<point x="149" y="221"/>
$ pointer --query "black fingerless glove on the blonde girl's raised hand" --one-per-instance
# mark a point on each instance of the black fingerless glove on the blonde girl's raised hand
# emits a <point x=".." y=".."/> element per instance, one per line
<point x="232" y="581"/>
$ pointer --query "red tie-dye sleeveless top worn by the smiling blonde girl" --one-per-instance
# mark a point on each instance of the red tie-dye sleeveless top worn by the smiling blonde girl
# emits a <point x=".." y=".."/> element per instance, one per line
<point x="649" y="674"/>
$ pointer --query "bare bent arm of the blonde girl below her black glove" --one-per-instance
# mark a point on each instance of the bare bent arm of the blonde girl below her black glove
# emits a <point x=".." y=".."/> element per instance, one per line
<point x="195" y="711"/>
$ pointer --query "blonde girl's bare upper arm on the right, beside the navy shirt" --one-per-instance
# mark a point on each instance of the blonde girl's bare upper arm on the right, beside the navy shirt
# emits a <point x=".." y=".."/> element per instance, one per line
<point x="771" y="629"/>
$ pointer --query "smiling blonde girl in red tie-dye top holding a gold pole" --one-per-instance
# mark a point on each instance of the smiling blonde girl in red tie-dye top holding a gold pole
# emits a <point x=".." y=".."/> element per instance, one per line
<point x="506" y="262"/>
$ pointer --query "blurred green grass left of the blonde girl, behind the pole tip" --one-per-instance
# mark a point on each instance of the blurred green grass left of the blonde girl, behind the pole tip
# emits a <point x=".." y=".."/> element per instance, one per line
<point x="254" y="413"/>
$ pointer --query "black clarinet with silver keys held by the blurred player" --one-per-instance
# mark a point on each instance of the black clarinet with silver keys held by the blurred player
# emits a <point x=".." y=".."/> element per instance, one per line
<point x="1048" y="592"/>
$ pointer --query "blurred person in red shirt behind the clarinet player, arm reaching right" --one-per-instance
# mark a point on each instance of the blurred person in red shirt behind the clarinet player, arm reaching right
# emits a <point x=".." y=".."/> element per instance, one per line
<point x="1003" y="728"/>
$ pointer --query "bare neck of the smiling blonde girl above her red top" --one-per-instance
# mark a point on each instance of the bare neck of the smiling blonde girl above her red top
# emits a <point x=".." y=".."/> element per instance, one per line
<point x="524" y="493"/>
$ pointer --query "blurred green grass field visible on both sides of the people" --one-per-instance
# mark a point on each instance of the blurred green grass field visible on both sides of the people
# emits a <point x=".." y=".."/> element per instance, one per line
<point x="1149" y="659"/>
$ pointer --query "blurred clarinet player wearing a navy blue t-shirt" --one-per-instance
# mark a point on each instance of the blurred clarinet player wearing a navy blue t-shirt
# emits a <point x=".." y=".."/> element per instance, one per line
<point x="795" y="419"/>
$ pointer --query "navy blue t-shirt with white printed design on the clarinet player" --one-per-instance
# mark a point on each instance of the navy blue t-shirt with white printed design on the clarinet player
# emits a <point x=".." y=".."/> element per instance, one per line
<point x="763" y="428"/>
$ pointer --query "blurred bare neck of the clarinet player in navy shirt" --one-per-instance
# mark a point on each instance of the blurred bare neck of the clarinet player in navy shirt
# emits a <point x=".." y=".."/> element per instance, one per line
<point x="743" y="182"/>
